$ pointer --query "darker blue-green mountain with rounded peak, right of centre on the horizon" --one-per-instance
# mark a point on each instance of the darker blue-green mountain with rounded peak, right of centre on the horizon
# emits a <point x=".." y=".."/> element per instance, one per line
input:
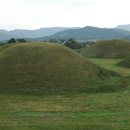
<point x="90" y="33"/>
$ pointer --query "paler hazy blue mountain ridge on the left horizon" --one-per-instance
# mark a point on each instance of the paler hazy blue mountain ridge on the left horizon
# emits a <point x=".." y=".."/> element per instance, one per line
<point x="19" y="33"/>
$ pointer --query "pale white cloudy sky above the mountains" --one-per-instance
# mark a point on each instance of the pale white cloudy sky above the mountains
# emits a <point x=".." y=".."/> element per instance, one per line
<point x="33" y="14"/>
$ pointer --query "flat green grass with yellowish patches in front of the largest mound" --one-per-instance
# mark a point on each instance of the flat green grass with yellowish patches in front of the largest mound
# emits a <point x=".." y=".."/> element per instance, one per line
<point x="75" y="112"/>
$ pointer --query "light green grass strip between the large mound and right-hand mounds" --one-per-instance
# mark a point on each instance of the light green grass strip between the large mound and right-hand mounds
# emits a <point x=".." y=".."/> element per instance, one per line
<point x="111" y="64"/>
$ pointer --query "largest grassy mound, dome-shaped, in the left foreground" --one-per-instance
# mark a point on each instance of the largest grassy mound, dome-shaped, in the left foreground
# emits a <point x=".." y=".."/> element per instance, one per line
<point x="37" y="68"/>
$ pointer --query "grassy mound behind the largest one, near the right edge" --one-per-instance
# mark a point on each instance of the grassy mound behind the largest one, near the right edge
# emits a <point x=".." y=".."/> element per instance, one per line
<point x="108" y="49"/>
